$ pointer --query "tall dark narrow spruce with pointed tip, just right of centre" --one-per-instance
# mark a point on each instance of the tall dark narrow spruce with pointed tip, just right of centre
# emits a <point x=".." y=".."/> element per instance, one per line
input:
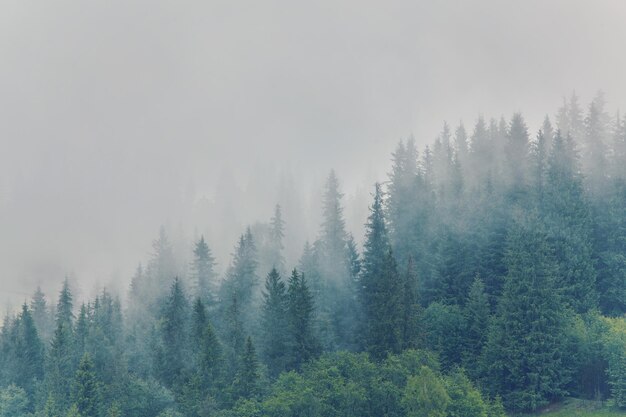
<point x="380" y="287"/>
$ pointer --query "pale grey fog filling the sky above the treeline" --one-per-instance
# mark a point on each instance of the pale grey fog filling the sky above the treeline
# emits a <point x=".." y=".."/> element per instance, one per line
<point x="117" y="117"/>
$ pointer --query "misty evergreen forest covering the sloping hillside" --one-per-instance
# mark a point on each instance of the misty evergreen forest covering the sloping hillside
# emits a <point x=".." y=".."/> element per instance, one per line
<point x="491" y="280"/>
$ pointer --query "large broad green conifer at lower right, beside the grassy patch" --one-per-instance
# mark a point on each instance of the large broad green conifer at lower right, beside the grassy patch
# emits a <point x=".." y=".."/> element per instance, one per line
<point x="523" y="357"/>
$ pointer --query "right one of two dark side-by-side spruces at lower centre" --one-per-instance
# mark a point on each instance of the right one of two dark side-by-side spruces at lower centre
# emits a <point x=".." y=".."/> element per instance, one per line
<point x="300" y="310"/>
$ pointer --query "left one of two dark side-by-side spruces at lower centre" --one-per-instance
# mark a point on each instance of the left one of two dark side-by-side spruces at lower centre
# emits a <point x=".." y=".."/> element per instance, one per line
<point x="274" y="324"/>
